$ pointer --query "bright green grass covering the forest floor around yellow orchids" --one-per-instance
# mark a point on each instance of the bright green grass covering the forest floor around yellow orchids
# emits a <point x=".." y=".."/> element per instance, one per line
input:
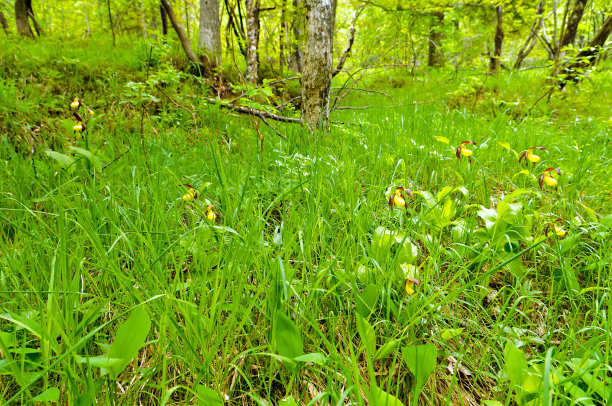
<point x="305" y="250"/>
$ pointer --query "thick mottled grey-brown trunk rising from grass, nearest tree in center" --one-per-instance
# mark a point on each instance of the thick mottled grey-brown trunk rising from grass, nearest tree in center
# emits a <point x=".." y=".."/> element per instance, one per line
<point x="317" y="71"/>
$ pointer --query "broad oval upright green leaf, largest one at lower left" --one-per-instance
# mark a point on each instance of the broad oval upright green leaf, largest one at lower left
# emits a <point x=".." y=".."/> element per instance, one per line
<point x="130" y="337"/>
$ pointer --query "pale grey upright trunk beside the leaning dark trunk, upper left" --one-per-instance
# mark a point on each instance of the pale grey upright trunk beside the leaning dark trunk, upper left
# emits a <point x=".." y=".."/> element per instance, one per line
<point x="209" y="43"/>
